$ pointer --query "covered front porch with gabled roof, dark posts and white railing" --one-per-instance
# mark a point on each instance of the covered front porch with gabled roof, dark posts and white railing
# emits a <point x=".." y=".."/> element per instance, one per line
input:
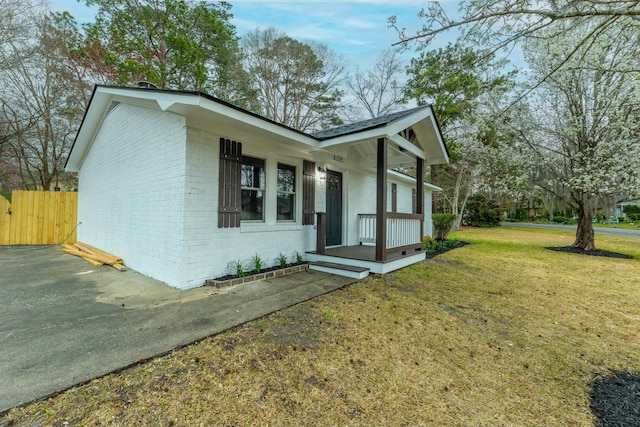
<point x="391" y="236"/>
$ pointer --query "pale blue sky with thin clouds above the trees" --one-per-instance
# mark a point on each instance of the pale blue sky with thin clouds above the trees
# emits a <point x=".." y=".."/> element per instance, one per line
<point x="357" y="30"/>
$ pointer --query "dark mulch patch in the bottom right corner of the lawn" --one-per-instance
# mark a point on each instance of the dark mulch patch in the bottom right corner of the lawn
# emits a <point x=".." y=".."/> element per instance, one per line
<point x="615" y="399"/>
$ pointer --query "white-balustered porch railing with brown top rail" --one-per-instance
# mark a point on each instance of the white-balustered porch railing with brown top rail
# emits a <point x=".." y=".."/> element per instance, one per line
<point x="403" y="230"/>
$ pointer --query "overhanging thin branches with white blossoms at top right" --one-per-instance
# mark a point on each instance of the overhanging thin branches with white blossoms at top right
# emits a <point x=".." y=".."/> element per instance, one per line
<point x="501" y="25"/>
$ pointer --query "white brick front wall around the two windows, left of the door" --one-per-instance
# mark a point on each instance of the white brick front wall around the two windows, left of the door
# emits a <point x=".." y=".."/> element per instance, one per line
<point x="209" y="250"/>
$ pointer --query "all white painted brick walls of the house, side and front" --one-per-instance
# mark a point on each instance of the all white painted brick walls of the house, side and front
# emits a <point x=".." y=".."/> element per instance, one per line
<point x="148" y="192"/>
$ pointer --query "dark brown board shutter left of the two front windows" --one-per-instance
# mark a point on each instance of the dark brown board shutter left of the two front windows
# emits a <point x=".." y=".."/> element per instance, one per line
<point x="229" y="197"/>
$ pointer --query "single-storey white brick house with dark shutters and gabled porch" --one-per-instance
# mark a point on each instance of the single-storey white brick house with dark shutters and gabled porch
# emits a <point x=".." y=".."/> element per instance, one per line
<point x="181" y="184"/>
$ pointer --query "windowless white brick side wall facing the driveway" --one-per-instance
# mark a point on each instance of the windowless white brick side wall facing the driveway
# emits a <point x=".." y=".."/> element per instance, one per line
<point x="131" y="188"/>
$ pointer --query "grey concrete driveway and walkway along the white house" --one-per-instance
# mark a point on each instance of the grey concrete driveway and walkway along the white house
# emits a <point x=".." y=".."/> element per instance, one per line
<point x="63" y="321"/>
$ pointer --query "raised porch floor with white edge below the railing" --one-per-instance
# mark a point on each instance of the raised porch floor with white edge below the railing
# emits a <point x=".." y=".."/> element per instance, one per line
<point x="365" y="256"/>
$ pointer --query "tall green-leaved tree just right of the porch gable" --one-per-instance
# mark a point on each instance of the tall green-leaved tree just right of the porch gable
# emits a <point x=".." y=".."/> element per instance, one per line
<point x="464" y="87"/>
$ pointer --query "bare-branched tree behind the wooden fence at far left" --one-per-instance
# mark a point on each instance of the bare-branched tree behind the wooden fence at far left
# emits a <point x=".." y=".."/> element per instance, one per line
<point x="42" y="101"/>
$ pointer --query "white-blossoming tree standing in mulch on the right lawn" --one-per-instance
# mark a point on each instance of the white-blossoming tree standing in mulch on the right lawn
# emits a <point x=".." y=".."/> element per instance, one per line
<point x="585" y="138"/>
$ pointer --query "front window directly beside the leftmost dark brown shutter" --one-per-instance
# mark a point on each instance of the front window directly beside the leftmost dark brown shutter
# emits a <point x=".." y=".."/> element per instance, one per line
<point x="252" y="181"/>
